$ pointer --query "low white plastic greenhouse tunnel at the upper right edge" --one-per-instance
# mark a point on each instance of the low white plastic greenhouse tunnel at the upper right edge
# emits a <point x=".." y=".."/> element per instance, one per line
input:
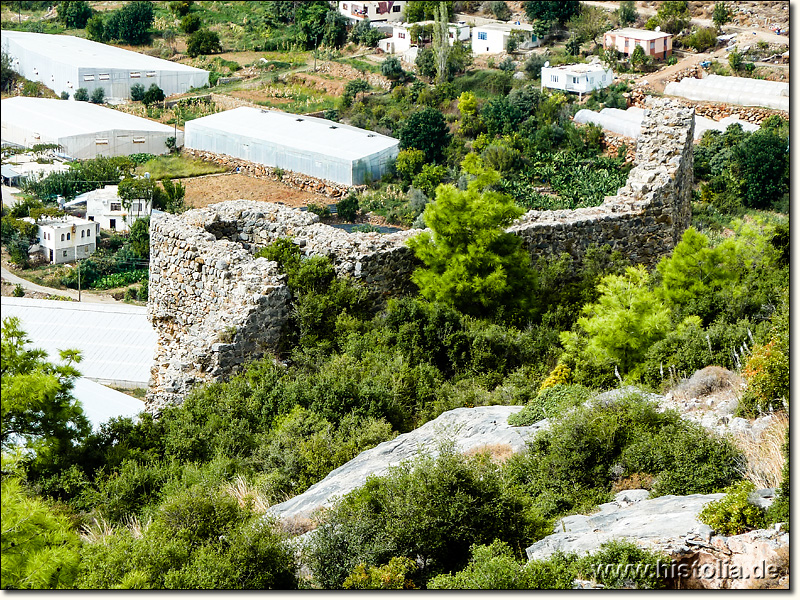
<point x="732" y="90"/>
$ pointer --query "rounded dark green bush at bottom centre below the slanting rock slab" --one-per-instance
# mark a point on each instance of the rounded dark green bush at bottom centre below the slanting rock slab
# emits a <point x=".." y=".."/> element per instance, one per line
<point x="433" y="509"/>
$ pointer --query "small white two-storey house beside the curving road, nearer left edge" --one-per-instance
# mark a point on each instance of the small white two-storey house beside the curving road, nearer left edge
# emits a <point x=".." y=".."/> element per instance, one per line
<point x="66" y="239"/>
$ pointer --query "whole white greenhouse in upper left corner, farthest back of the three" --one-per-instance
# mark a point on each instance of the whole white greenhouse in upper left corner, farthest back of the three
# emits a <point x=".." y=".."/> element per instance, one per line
<point x="65" y="63"/>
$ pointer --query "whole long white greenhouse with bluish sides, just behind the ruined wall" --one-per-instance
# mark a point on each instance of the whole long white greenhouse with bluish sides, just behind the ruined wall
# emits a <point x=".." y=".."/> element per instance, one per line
<point x="308" y="145"/>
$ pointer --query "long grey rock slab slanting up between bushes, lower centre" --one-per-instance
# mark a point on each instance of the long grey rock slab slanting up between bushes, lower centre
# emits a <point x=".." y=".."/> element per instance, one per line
<point x="470" y="429"/>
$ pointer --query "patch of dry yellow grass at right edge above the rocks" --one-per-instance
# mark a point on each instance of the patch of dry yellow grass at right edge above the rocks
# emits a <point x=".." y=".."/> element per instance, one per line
<point x="764" y="452"/>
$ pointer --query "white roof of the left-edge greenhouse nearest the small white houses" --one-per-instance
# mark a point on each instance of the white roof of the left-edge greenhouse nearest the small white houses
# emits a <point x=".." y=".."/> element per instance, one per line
<point x="64" y="118"/>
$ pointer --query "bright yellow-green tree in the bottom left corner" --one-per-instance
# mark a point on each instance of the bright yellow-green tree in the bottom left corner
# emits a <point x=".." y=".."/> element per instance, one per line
<point x="40" y="550"/>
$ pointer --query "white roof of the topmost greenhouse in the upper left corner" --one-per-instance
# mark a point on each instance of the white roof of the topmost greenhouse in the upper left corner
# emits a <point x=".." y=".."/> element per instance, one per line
<point x="80" y="52"/>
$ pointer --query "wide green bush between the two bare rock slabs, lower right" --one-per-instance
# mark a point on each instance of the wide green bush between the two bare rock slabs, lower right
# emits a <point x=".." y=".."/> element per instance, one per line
<point x="572" y="465"/>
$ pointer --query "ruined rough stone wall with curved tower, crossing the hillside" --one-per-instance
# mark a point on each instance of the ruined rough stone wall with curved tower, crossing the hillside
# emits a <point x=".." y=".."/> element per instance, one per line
<point x="215" y="306"/>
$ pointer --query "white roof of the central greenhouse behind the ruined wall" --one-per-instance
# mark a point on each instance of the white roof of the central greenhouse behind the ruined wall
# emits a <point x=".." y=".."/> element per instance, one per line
<point x="309" y="134"/>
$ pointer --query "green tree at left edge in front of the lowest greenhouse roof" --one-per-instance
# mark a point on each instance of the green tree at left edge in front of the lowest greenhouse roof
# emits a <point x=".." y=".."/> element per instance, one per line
<point x="37" y="405"/>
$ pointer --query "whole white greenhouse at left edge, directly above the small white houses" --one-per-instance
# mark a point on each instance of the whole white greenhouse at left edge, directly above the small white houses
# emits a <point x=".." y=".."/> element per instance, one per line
<point x="83" y="130"/>
